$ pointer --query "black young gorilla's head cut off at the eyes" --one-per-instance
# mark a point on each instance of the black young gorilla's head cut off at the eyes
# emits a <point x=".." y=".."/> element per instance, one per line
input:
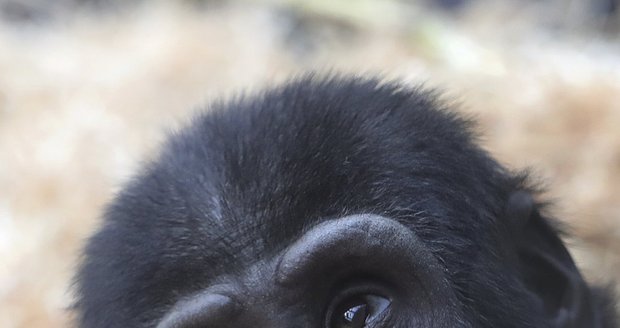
<point x="330" y="203"/>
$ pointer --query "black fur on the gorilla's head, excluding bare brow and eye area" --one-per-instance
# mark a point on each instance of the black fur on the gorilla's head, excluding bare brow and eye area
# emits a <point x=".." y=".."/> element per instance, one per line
<point x="248" y="178"/>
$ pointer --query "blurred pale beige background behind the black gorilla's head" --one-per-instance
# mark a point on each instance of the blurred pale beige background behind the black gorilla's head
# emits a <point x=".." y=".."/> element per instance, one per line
<point x="88" y="90"/>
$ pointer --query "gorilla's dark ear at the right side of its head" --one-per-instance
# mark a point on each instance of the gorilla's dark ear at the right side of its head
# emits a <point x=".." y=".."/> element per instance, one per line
<point x="546" y="267"/>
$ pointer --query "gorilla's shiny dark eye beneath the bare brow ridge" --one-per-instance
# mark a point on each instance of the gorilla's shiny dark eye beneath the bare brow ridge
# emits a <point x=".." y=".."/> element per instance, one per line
<point x="356" y="311"/>
